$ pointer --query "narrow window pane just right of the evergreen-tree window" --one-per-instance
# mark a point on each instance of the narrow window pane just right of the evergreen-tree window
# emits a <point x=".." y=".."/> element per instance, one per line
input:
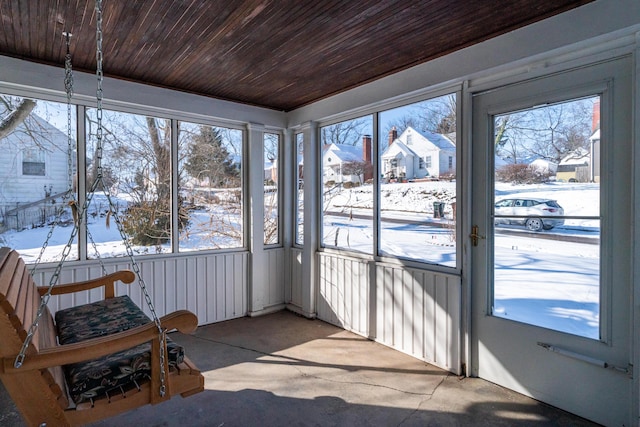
<point x="271" y="175"/>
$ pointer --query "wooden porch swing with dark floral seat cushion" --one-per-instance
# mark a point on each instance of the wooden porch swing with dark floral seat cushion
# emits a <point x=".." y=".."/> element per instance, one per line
<point x="95" y="360"/>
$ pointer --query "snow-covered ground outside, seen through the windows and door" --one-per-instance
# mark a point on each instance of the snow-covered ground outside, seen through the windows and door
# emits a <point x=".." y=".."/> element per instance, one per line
<point x="549" y="283"/>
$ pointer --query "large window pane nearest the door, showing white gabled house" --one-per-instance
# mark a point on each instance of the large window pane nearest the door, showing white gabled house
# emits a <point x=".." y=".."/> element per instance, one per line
<point x="418" y="205"/>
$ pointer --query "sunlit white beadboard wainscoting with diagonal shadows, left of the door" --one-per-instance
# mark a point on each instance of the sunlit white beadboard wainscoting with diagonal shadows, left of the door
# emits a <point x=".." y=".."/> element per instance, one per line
<point x="415" y="311"/>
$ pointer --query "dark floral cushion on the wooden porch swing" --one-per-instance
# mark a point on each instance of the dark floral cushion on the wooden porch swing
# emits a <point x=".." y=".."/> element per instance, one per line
<point x="116" y="372"/>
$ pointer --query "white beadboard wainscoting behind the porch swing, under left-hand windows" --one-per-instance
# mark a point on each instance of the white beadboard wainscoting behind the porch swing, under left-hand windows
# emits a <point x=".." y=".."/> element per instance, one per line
<point x="213" y="286"/>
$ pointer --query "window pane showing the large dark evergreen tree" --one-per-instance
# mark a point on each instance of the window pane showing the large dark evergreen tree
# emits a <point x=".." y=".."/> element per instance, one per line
<point x="210" y="186"/>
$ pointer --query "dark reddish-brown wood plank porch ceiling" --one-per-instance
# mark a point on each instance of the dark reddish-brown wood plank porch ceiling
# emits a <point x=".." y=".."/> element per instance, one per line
<point x="279" y="54"/>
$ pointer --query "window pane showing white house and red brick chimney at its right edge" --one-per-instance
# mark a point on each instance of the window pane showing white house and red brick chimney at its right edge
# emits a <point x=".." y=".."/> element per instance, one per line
<point x="347" y="190"/>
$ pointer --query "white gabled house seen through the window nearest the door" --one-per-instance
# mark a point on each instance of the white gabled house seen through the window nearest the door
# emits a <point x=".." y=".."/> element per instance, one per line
<point x="419" y="154"/>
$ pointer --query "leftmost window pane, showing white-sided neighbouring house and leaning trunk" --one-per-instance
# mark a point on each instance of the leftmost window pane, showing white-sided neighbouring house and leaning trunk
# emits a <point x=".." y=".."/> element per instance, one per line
<point x="38" y="164"/>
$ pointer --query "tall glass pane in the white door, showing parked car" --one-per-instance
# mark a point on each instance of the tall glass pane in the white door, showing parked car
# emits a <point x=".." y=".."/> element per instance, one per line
<point x="547" y="217"/>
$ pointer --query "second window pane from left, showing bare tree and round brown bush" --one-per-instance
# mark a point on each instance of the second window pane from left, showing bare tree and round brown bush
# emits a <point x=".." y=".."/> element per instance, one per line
<point x="136" y="172"/>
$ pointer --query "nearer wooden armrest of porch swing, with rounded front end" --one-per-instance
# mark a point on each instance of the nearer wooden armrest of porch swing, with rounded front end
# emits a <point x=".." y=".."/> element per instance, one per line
<point x="182" y="320"/>
